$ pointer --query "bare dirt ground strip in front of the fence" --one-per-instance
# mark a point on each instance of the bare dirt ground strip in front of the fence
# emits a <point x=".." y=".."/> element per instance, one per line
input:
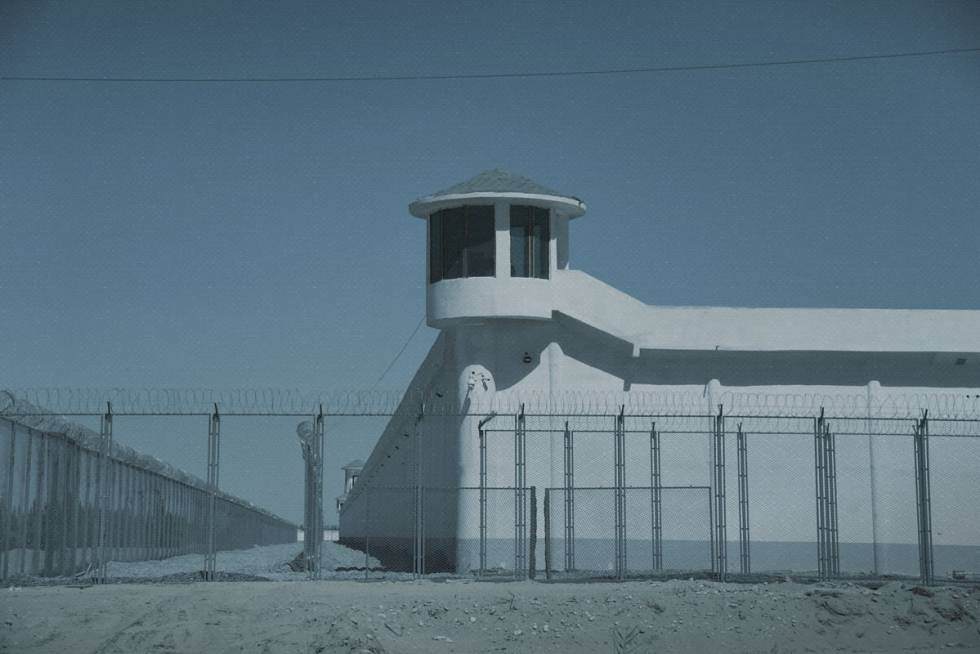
<point x="471" y="616"/>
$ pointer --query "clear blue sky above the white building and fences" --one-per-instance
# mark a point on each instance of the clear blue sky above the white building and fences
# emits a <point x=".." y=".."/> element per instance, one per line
<point x="234" y="234"/>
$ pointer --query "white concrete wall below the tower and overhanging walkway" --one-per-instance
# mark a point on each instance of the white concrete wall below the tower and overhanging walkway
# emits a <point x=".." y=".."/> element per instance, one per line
<point x="483" y="367"/>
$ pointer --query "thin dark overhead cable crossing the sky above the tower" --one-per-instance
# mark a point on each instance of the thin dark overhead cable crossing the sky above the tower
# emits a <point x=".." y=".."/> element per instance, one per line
<point x="500" y="75"/>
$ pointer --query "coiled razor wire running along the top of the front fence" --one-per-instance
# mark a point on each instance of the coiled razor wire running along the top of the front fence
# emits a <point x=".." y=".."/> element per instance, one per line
<point x="886" y="403"/>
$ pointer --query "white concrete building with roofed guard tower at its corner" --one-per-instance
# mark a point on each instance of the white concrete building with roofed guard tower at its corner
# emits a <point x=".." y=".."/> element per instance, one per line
<point x="519" y="324"/>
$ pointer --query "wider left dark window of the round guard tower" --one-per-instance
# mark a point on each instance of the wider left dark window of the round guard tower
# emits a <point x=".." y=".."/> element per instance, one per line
<point x="461" y="243"/>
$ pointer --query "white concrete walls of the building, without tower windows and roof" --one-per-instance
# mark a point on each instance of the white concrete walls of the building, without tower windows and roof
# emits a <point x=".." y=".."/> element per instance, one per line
<point x="572" y="344"/>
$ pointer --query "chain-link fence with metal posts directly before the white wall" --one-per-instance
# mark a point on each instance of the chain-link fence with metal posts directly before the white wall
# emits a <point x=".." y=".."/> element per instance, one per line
<point x="811" y="494"/>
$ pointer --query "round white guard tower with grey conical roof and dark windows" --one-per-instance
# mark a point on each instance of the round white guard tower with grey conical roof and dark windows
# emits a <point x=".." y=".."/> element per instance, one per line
<point x="494" y="244"/>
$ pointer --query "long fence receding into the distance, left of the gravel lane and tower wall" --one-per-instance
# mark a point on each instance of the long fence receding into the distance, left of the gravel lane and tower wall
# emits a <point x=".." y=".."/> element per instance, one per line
<point x="69" y="506"/>
